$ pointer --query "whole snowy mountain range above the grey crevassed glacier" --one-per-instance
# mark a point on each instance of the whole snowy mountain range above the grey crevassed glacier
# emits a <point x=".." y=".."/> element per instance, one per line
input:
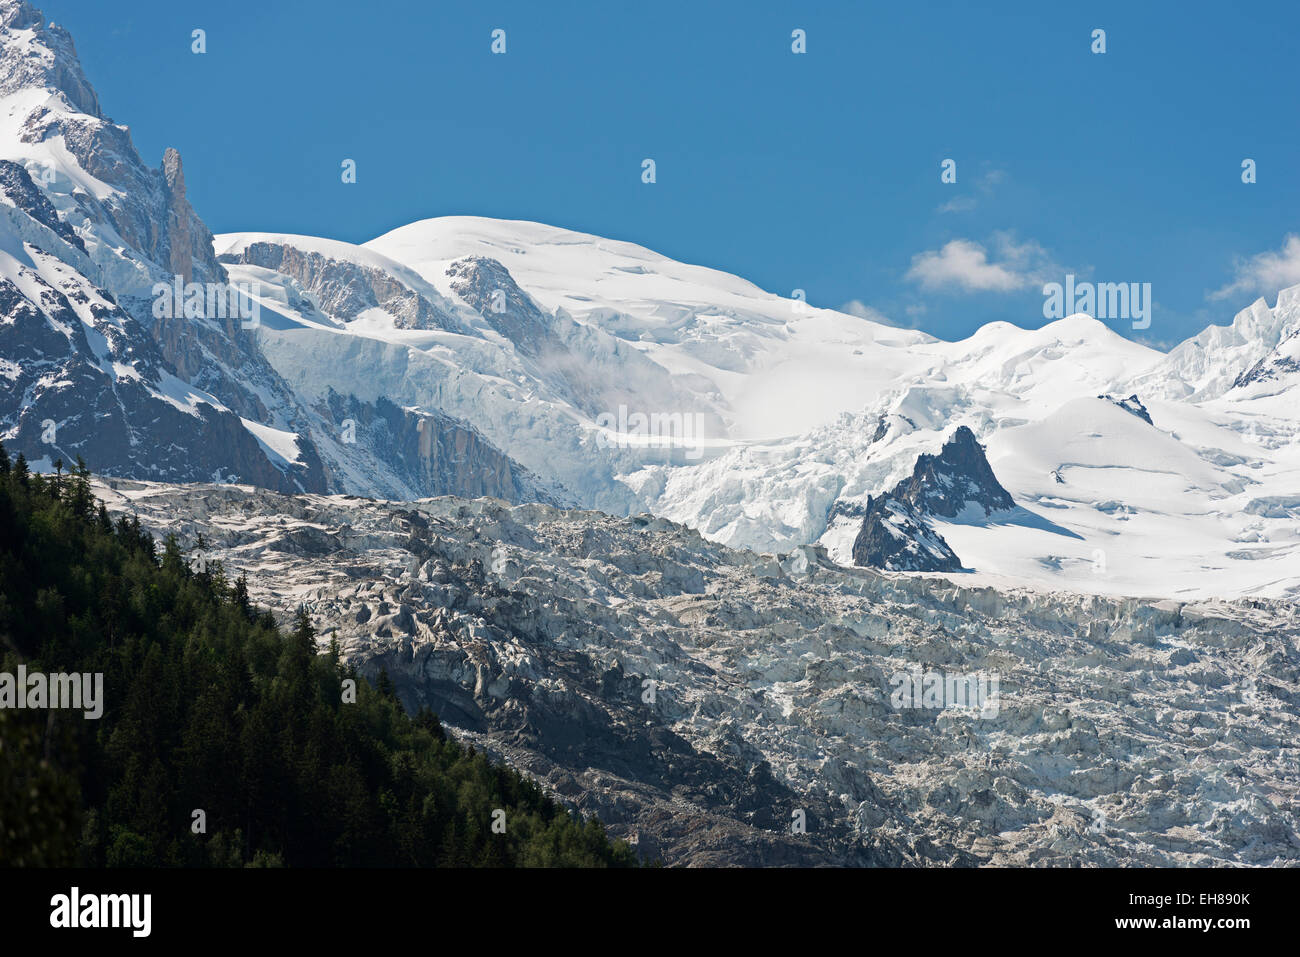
<point x="478" y="357"/>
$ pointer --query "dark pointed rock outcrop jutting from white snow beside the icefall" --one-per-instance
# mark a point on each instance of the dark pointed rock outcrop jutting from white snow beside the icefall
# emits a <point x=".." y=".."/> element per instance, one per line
<point x="896" y="534"/>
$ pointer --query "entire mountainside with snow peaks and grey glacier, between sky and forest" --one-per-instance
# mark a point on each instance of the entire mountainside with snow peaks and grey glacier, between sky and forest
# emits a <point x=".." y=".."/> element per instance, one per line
<point x="770" y="517"/>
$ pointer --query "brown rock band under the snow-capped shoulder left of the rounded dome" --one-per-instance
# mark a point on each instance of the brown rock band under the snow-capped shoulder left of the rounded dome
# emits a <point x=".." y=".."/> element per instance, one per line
<point x="345" y="291"/>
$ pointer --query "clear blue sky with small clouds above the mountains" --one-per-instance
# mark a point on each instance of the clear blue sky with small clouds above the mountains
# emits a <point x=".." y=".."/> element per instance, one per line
<point x="817" y="171"/>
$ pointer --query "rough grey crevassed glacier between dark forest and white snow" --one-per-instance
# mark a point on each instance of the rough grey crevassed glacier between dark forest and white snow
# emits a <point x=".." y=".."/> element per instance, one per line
<point x="697" y="698"/>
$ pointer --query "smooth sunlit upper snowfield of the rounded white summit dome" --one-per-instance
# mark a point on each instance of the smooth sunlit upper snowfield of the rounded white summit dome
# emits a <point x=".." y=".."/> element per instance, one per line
<point x="781" y="367"/>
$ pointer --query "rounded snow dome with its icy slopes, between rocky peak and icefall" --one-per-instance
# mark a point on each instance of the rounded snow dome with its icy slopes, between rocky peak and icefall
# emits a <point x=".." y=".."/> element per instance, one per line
<point x="549" y="373"/>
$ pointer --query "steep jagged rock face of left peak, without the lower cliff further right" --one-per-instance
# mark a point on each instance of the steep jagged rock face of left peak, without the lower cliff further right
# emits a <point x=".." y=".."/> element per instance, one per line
<point x="122" y="399"/>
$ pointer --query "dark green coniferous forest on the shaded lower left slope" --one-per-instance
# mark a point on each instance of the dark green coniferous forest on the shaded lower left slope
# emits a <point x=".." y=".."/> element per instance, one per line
<point x="210" y="708"/>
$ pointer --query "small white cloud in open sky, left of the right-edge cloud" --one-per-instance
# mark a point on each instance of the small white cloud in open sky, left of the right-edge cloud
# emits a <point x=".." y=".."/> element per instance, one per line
<point x="968" y="266"/>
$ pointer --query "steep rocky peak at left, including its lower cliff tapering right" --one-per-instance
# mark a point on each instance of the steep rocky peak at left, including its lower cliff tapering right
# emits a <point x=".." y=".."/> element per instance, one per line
<point x="99" y="360"/>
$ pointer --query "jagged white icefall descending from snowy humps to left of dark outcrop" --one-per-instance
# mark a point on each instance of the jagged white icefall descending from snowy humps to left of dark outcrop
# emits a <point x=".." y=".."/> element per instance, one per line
<point x="1002" y="378"/>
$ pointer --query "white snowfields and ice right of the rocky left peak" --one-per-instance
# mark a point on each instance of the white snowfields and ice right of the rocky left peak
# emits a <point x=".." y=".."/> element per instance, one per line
<point x="804" y="414"/>
